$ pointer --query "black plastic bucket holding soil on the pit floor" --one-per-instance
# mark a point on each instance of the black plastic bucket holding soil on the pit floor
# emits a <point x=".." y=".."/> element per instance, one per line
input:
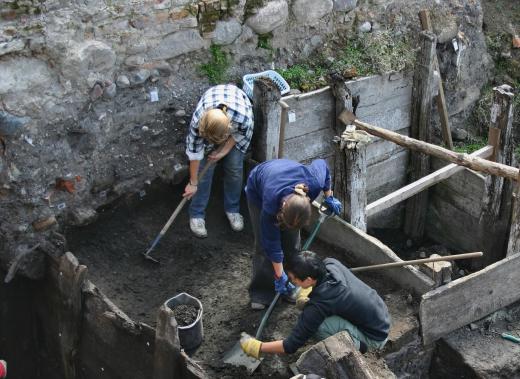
<point x="190" y="336"/>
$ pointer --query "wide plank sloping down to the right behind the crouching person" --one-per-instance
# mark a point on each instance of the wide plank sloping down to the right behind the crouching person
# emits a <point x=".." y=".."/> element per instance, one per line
<point x="368" y="250"/>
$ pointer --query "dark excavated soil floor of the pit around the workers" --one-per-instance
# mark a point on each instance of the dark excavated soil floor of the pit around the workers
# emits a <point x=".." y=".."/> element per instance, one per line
<point x="216" y="270"/>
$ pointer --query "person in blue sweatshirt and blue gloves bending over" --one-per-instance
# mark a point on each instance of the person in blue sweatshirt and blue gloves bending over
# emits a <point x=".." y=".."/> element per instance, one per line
<point x="279" y="195"/>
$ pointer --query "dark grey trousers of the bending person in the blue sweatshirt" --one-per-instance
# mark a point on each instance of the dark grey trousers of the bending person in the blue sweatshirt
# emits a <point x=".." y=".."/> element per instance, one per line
<point x="261" y="289"/>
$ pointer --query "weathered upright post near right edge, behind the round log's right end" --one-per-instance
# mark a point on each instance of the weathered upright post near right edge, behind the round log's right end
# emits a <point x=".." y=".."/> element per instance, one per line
<point x="496" y="209"/>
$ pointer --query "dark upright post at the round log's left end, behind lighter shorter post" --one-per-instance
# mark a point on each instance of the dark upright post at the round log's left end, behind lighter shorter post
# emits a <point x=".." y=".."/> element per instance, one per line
<point x="343" y="101"/>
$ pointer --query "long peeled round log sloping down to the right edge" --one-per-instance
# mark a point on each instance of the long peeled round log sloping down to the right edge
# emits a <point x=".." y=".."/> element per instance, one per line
<point x="462" y="159"/>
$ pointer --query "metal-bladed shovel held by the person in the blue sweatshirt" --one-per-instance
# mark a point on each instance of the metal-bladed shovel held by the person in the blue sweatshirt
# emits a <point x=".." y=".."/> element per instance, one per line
<point x="236" y="355"/>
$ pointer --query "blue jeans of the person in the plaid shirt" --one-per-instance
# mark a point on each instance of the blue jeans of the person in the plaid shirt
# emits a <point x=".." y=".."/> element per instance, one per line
<point x="233" y="164"/>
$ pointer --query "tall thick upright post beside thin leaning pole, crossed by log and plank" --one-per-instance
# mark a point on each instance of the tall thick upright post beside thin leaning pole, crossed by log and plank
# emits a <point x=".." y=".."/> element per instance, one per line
<point x="416" y="206"/>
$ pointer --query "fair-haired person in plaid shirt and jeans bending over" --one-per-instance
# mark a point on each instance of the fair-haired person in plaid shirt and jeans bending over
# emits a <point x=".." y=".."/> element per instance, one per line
<point x="223" y="118"/>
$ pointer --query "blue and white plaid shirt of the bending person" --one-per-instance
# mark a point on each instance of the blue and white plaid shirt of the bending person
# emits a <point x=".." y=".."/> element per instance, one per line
<point x="239" y="110"/>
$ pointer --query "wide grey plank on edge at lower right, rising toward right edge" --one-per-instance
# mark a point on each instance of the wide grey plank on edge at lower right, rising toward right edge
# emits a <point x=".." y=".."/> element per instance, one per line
<point x="469" y="299"/>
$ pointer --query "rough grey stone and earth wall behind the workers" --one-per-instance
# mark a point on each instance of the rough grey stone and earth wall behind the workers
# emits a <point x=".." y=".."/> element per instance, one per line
<point x="78" y="122"/>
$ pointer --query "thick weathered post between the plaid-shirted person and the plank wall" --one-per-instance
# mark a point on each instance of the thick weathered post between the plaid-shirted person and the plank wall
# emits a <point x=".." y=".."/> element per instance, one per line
<point x="267" y="114"/>
